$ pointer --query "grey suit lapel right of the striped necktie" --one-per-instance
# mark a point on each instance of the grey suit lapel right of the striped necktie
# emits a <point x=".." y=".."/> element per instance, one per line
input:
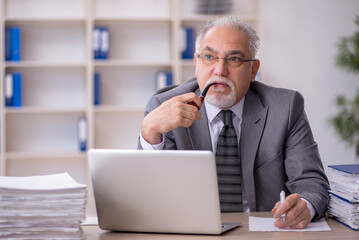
<point x="253" y="122"/>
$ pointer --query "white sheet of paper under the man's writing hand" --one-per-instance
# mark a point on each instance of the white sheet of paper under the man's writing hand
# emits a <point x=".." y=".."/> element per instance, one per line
<point x="260" y="224"/>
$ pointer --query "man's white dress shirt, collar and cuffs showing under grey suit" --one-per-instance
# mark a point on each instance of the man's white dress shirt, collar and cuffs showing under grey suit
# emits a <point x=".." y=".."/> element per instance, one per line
<point x="215" y="127"/>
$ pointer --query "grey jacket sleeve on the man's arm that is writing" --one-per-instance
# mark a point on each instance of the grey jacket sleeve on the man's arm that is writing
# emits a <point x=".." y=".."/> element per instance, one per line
<point x="303" y="165"/>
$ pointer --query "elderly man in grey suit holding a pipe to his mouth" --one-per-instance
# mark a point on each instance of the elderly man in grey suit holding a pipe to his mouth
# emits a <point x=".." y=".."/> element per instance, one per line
<point x="260" y="134"/>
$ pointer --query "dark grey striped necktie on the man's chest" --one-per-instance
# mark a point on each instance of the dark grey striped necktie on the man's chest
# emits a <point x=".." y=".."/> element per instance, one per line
<point x="228" y="166"/>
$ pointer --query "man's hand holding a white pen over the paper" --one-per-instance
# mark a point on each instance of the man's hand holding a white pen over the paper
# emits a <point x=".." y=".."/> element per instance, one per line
<point x="297" y="212"/>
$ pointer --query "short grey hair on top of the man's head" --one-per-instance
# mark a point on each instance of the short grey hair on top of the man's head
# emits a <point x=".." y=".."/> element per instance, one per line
<point x="234" y="23"/>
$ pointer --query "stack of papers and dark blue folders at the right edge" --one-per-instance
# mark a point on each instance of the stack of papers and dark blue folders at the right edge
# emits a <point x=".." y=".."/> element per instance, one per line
<point x="344" y="194"/>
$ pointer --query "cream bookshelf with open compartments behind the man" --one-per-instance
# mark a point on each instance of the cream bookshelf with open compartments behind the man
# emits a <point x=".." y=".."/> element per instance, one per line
<point x="57" y="70"/>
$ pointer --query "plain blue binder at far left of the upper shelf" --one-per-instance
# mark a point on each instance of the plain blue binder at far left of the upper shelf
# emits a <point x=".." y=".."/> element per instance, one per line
<point x="13" y="44"/>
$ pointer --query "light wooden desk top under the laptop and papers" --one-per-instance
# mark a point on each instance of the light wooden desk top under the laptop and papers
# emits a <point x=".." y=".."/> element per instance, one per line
<point x="339" y="232"/>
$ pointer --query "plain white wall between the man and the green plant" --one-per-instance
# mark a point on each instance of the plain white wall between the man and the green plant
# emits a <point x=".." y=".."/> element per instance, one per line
<point x="299" y="40"/>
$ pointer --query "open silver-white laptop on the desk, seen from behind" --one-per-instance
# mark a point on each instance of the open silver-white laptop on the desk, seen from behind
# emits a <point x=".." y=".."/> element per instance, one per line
<point x="156" y="191"/>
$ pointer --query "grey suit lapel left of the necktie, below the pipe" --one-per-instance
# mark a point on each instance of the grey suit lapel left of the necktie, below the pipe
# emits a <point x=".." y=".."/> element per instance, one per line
<point x="199" y="136"/>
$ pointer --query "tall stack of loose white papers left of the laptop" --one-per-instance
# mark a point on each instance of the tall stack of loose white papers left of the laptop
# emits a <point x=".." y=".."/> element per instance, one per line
<point x="41" y="207"/>
